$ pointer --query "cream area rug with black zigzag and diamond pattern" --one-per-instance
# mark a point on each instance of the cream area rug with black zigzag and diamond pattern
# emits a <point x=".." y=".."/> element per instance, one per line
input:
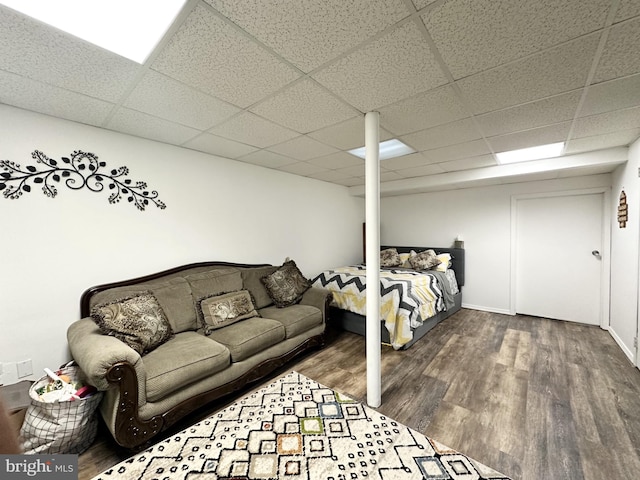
<point x="294" y="429"/>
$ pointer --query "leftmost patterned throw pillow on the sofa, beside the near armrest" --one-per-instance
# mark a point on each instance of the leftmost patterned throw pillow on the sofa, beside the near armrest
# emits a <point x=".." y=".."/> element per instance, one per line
<point x="138" y="321"/>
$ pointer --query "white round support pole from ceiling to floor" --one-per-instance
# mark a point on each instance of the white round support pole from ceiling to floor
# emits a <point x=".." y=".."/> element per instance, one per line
<point x="372" y="235"/>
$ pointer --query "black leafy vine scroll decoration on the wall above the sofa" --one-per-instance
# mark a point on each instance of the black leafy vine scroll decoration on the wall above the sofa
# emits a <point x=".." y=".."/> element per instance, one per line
<point x="79" y="170"/>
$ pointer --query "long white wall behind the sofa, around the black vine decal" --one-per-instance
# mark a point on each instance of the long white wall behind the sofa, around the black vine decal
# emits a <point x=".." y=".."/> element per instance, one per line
<point x="52" y="249"/>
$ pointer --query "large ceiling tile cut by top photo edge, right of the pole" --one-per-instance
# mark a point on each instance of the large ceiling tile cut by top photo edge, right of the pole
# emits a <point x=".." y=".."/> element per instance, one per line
<point x="495" y="32"/>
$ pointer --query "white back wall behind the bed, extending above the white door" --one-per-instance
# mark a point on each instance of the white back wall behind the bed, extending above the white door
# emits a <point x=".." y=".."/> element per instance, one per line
<point x="482" y="216"/>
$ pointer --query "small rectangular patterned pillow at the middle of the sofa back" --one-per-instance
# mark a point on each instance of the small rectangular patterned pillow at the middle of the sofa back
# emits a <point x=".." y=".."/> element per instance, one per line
<point x="218" y="311"/>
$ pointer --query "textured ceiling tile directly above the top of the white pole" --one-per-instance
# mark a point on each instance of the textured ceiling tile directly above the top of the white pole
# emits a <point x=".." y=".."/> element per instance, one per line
<point x="398" y="65"/>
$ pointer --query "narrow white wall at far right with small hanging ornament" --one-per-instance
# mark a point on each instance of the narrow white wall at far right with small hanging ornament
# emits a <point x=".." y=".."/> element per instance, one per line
<point x="624" y="255"/>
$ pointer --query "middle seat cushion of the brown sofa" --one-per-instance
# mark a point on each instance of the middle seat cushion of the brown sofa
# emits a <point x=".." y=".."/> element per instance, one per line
<point x="249" y="336"/>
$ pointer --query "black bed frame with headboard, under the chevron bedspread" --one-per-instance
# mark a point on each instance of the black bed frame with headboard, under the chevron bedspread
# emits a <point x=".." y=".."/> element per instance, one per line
<point x="352" y="322"/>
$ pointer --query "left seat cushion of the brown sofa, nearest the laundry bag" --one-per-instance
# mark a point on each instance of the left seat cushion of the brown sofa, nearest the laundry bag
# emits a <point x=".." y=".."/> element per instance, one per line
<point x="184" y="359"/>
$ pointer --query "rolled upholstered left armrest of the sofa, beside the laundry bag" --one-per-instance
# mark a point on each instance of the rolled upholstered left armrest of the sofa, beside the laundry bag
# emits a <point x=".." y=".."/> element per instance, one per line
<point x="95" y="353"/>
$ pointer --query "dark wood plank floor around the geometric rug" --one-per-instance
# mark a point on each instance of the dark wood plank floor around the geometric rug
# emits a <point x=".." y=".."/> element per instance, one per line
<point x="532" y="398"/>
